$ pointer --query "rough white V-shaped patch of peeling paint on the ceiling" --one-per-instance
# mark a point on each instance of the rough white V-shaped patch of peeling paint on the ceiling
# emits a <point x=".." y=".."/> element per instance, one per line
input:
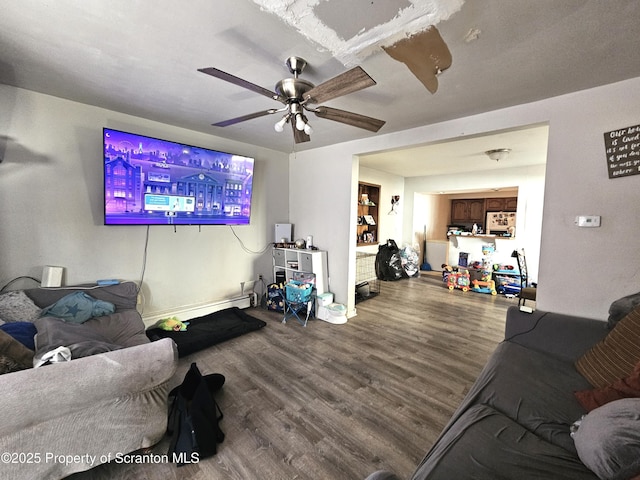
<point x="303" y="16"/>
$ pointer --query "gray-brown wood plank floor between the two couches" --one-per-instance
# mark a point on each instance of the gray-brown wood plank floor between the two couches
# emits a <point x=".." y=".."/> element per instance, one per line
<point x="341" y="401"/>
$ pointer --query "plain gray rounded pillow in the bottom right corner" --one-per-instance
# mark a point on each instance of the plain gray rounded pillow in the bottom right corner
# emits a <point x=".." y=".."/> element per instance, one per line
<point x="608" y="440"/>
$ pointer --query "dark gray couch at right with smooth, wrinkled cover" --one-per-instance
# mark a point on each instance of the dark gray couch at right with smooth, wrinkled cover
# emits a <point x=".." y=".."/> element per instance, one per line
<point x="515" y="421"/>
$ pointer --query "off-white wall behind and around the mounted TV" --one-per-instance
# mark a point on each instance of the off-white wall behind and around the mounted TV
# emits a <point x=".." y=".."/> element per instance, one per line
<point x="52" y="213"/>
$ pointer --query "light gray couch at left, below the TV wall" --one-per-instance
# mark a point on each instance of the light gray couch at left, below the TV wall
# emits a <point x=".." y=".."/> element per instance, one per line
<point x="71" y="416"/>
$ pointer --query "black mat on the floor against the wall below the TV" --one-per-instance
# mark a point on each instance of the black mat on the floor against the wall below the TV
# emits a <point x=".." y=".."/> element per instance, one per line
<point x="202" y="332"/>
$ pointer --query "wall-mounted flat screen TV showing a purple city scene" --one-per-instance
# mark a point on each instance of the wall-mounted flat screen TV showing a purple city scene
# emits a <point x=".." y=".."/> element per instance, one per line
<point x="148" y="181"/>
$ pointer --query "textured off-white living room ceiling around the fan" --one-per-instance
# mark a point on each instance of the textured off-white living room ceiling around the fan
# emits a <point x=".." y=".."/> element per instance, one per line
<point x="141" y="58"/>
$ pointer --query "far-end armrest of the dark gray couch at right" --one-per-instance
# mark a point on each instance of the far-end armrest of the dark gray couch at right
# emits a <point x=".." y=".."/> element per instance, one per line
<point x="562" y="336"/>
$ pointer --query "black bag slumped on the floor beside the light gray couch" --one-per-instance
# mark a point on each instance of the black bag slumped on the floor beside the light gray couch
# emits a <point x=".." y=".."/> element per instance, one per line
<point x="194" y="418"/>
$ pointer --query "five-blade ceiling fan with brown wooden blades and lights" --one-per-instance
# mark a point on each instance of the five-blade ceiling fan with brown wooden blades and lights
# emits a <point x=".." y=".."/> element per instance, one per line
<point x="298" y="95"/>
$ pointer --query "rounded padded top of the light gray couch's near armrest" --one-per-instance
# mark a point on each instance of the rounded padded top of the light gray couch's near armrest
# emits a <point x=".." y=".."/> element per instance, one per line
<point x="63" y="388"/>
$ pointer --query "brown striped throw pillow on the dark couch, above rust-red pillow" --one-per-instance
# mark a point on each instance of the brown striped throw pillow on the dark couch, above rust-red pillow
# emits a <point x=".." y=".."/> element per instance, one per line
<point x="616" y="355"/>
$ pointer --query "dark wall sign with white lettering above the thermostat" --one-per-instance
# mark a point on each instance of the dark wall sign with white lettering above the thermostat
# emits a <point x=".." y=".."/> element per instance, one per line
<point x="623" y="151"/>
